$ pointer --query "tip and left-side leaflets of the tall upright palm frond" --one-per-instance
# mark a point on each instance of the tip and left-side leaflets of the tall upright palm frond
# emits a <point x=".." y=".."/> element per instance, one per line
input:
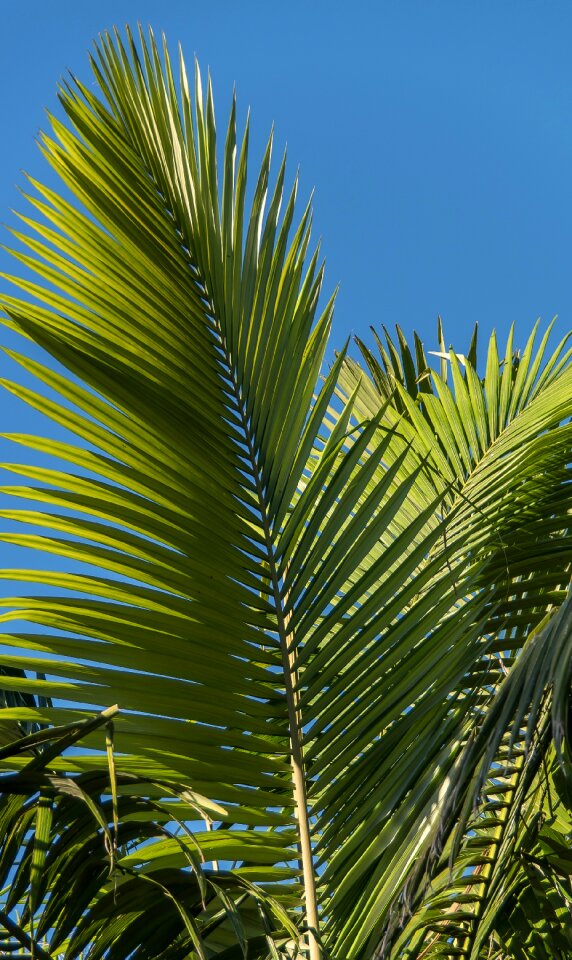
<point x="180" y="316"/>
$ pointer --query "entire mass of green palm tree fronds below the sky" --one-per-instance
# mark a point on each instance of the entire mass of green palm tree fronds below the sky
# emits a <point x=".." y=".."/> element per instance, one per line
<point x="337" y="608"/>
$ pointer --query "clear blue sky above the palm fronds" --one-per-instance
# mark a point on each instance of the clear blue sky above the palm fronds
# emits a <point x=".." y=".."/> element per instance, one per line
<point x="438" y="136"/>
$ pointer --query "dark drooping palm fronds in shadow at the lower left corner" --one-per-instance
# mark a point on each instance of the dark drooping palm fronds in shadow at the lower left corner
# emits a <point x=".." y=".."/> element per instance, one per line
<point x="102" y="865"/>
